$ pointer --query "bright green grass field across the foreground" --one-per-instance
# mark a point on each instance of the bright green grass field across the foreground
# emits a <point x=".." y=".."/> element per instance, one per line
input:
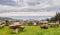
<point x="31" y="30"/>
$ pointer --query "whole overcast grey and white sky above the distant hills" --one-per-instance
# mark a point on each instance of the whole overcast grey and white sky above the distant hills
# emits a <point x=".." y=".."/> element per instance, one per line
<point x="26" y="9"/>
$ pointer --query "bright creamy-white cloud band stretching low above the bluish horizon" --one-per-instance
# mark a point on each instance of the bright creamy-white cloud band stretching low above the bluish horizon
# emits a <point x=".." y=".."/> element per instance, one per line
<point x="29" y="14"/>
